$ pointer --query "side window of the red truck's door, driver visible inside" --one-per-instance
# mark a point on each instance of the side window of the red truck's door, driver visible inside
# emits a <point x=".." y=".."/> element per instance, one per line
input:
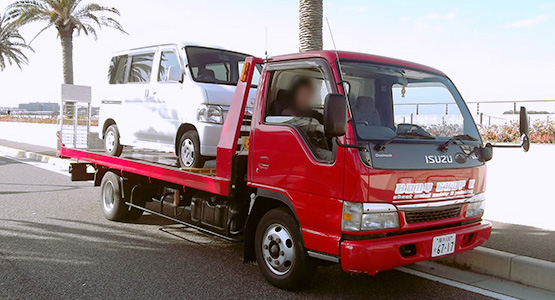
<point x="296" y="98"/>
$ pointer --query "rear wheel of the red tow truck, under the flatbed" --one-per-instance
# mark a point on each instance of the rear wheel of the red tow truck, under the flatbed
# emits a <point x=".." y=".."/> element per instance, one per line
<point x="113" y="205"/>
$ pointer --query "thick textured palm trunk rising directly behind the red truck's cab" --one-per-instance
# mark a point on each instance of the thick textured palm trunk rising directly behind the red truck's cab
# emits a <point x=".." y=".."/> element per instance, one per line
<point x="310" y="25"/>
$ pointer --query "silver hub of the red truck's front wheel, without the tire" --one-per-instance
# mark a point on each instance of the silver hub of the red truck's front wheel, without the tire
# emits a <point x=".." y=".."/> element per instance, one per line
<point x="277" y="249"/>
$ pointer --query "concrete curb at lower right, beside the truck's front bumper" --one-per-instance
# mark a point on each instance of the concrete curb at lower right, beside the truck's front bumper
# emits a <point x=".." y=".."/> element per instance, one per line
<point x="522" y="269"/>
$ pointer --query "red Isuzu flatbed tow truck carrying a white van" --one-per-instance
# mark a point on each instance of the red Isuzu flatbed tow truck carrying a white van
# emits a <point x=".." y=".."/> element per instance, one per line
<point x="388" y="170"/>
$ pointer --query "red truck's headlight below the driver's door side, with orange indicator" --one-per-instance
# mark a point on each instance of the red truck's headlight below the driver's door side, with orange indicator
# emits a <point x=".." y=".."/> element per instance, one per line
<point x="369" y="216"/>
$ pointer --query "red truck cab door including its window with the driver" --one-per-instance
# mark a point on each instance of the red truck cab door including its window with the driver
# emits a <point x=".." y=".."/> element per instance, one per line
<point x="290" y="154"/>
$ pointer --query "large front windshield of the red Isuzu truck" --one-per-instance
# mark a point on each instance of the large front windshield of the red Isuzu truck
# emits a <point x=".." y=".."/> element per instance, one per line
<point x="395" y="104"/>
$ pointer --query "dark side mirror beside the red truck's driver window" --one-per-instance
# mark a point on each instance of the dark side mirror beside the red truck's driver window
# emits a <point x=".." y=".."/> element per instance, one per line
<point x="335" y="115"/>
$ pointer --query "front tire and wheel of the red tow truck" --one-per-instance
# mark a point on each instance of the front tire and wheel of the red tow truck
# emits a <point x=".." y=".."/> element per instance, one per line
<point x="280" y="254"/>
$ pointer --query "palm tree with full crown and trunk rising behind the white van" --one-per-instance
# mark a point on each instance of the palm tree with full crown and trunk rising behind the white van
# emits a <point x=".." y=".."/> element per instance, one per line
<point x="67" y="16"/>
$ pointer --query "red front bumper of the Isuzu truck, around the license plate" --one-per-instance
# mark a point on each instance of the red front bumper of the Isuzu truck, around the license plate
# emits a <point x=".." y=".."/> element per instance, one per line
<point x="372" y="256"/>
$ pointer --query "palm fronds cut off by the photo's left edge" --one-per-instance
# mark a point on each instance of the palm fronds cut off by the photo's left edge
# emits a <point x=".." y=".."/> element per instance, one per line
<point x="11" y="45"/>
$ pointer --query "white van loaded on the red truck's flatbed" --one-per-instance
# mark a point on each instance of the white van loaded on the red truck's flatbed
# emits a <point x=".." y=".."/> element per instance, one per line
<point x="171" y="97"/>
